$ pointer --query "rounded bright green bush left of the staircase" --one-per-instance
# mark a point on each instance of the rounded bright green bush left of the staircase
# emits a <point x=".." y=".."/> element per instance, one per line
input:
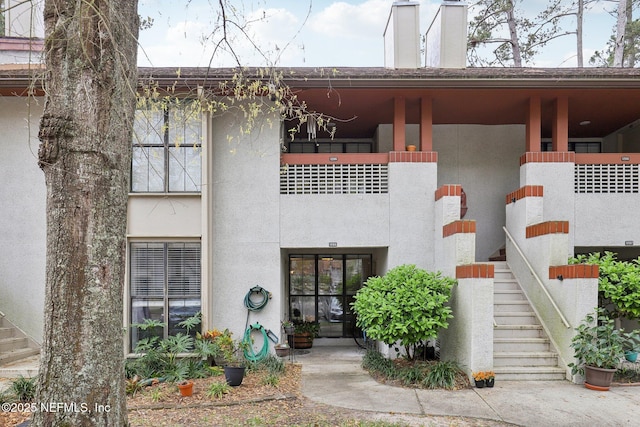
<point x="406" y="305"/>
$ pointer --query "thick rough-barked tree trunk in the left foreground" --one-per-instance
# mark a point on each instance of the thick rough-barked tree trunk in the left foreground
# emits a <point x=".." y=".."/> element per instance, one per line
<point x="85" y="154"/>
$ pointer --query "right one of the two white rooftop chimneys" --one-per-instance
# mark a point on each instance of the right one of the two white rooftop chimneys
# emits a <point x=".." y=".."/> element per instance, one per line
<point x="446" y="45"/>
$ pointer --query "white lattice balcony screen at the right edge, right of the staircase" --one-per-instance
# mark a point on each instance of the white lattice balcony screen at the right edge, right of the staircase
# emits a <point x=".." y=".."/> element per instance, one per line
<point x="606" y="178"/>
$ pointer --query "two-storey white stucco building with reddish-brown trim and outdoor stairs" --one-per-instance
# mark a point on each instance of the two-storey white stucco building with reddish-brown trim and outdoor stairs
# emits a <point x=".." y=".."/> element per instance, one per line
<point x="548" y="160"/>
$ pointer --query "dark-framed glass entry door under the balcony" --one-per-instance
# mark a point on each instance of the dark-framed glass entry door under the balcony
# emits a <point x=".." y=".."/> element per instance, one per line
<point x="321" y="288"/>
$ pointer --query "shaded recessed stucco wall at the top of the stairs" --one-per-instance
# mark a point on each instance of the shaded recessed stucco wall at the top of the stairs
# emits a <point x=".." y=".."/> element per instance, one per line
<point x="485" y="161"/>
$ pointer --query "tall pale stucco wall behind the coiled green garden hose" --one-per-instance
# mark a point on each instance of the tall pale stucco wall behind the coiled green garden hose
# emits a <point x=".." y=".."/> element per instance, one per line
<point x="245" y="224"/>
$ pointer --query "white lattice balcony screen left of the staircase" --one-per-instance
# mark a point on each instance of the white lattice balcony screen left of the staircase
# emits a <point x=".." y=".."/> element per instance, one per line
<point x="334" y="179"/>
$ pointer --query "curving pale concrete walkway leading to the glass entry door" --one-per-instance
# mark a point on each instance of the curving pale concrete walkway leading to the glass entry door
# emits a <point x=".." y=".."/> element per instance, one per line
<point x="333" y="376"/>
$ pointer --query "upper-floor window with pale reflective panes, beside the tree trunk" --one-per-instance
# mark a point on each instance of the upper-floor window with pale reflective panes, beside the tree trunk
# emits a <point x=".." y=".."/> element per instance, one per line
<point x="167" y="146"/>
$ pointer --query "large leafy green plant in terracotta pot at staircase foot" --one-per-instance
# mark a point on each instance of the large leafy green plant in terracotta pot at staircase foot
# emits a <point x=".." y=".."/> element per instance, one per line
<point x="598" y="348"/>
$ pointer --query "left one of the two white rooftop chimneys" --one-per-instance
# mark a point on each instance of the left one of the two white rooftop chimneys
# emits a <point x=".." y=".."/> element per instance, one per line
<point x="402" y="36"/>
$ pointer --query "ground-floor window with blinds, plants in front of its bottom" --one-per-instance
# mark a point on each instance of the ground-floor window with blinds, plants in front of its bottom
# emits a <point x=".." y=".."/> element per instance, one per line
<point x="165" y="285"/>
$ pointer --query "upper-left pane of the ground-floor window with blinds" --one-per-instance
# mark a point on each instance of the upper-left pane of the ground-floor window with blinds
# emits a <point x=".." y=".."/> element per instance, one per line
<point x="147" y="269"/>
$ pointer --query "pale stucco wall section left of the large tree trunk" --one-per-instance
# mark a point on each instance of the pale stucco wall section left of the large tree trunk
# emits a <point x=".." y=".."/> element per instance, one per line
<point x="22" y="216"/>
